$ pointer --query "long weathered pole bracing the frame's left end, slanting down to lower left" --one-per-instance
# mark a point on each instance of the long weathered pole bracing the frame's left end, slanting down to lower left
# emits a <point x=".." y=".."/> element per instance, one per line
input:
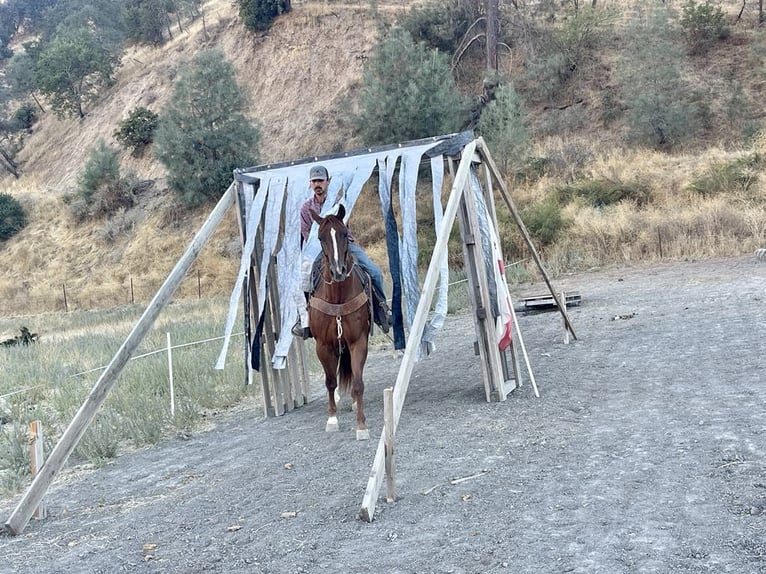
<point x="72" y="435"/>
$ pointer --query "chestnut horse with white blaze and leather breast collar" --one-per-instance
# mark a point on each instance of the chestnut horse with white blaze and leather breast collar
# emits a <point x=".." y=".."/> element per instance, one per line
<point x="340" y="320"/>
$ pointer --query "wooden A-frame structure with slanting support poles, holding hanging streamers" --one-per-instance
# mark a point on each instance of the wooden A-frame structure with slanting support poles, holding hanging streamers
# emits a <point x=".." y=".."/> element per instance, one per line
<point x="287" y="389"/>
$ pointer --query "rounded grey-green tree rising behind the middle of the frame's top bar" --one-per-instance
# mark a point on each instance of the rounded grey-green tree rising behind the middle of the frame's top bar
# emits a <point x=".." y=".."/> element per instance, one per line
<point x="408" y="93"/>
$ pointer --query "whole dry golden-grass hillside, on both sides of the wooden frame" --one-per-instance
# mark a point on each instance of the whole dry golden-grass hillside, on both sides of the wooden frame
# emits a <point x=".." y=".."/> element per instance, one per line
<point x="302" y="76"/>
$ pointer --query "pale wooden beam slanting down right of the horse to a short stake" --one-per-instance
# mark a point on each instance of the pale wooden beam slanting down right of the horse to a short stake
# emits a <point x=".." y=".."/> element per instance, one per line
<point x="416" y="330"/>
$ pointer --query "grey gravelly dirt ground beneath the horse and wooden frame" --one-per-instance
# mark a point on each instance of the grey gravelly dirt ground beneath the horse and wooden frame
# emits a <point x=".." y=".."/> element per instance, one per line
<point x="645" y="453"/>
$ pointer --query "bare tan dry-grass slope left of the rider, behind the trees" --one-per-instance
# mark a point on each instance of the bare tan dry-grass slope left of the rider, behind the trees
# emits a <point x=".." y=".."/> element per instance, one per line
<point x="294" y="75"/>
